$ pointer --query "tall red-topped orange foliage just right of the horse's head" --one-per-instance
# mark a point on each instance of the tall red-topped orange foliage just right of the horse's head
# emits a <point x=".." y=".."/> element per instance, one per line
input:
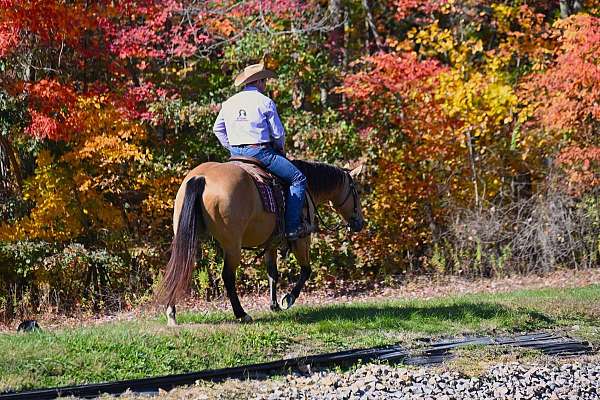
<point x="393" y="100"/>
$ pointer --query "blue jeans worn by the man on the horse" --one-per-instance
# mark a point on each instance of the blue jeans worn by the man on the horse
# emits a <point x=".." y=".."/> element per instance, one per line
<point x="281" y="167"/>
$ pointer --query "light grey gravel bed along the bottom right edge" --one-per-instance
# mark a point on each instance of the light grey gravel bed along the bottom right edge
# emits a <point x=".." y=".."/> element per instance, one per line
<point x="513" y="380"/>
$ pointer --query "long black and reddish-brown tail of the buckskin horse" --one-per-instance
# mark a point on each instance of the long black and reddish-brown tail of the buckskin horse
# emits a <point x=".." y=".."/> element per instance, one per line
<point x="191" y="225"/>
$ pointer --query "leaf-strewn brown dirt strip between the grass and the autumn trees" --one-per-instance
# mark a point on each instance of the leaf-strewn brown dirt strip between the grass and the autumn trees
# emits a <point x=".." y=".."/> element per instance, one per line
<point x="423" y="287"/>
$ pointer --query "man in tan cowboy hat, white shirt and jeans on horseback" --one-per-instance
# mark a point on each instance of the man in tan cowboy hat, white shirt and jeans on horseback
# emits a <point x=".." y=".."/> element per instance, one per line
<point x="248" y="125"/>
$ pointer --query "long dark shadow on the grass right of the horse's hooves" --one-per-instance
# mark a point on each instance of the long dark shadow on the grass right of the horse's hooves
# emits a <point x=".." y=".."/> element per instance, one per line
<point x="389" y="316"/>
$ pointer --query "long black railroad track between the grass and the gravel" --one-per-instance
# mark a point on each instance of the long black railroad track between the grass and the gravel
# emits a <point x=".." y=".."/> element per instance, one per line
<point x="430" y="353"/>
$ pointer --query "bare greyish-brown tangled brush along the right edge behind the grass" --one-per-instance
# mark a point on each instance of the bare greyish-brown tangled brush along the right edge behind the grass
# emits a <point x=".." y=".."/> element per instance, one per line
<point x="534" y="235"/>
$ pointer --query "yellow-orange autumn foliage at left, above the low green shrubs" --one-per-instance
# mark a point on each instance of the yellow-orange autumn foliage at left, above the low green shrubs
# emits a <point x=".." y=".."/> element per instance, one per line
<point x="70" y="194"/>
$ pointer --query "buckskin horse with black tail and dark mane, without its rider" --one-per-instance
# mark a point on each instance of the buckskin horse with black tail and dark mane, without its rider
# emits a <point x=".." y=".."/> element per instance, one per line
<point x="221" y="200"/>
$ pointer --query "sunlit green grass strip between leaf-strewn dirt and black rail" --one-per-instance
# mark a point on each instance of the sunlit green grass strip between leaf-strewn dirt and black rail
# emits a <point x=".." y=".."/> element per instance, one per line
<point x="127" y="350"/>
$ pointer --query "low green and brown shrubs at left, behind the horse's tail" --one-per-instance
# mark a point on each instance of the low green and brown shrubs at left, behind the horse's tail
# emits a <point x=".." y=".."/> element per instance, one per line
<point x="44" y="277"/>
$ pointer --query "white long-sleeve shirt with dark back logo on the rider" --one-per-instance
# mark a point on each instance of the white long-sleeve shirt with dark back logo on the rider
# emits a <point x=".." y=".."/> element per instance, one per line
<point x="249" y="117"/>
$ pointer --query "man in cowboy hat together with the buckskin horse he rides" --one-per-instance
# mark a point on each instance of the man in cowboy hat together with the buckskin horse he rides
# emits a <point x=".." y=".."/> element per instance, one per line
<point x="223" y="201"/>
